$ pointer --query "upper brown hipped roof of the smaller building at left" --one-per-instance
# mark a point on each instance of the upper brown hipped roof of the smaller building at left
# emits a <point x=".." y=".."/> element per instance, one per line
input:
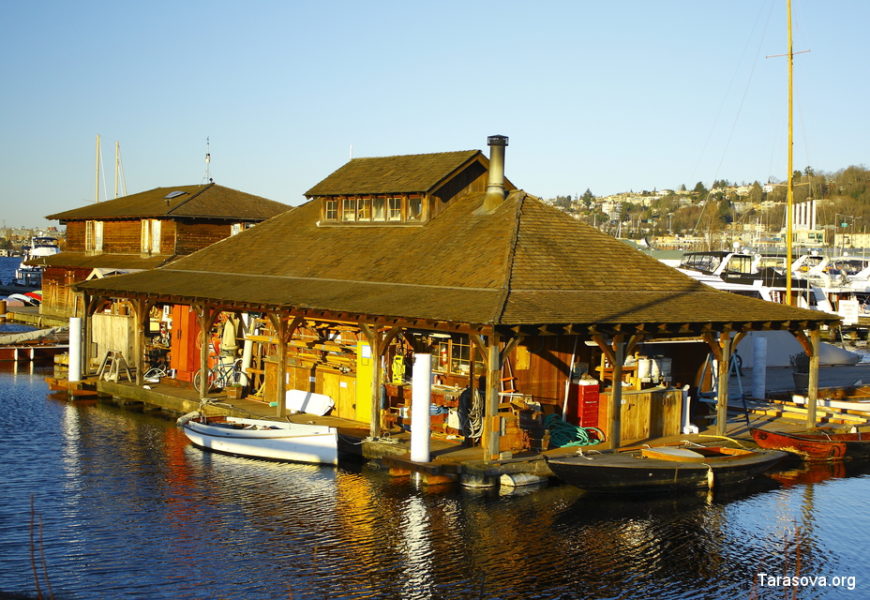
<point x="209" y="201"/>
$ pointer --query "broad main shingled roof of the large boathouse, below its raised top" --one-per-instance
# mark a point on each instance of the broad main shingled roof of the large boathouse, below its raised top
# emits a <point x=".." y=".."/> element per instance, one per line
<point x="525" y="263"/>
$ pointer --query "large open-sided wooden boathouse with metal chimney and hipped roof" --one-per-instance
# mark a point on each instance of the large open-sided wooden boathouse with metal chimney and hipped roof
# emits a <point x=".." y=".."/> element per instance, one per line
<point x="525" y="311"/>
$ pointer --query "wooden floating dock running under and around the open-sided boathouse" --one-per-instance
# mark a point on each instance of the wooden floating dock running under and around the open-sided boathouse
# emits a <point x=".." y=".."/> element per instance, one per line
<point x="451" y="460"/>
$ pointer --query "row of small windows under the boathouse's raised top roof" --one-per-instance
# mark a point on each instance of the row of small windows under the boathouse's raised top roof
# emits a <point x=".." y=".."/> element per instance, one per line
<point x="374" y="209"/>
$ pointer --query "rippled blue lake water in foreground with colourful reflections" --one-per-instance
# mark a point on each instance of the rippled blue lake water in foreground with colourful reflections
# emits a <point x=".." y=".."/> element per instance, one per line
<point x="101" y="502"/>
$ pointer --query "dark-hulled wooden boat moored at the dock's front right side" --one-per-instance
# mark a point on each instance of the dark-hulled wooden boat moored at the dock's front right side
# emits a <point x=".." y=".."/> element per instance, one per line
<point x="661" y="468"/>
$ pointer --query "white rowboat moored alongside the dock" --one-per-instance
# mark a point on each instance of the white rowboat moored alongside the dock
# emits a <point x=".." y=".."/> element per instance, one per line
<point x="255" y="438"/>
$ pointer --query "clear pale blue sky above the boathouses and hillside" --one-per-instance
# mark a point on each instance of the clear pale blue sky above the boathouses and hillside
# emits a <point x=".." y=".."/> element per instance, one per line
<point x="609" y="96"/>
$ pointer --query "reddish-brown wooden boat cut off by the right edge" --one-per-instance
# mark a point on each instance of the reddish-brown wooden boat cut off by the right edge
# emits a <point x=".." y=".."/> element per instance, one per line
<point x="816" y="445"/>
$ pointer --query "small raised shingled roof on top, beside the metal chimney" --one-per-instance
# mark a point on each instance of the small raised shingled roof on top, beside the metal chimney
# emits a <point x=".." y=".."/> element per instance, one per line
<point x="420" y="173"/>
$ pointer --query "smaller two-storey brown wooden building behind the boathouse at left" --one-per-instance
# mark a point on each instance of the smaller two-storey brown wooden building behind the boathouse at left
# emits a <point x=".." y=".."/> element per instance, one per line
<point x="143" y="231"/>
